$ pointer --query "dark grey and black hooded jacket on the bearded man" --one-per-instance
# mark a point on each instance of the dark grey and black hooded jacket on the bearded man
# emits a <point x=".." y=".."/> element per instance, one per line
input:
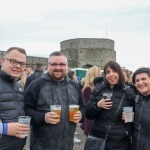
<point x="42" y="93"/>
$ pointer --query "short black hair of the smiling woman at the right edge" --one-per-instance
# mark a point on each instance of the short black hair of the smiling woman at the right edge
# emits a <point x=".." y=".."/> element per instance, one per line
<point x="139" y="71"/>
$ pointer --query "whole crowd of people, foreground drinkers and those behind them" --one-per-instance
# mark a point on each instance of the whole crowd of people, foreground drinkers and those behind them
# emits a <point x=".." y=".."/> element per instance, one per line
<point x="28" y="90"/>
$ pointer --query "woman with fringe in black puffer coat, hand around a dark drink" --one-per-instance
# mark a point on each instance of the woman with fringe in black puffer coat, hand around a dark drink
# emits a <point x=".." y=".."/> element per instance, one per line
<point x="103" y="110"/>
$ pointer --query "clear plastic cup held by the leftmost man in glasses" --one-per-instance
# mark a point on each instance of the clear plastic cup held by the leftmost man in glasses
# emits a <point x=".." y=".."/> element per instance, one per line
<point x="24" y="120"/>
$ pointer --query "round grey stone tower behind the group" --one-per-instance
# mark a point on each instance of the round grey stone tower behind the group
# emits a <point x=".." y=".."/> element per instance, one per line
<point x="86" y="52"/>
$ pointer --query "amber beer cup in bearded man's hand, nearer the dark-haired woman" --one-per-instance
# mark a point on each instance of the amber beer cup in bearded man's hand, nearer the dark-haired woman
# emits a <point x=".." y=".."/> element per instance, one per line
<point x="72" y="110"/>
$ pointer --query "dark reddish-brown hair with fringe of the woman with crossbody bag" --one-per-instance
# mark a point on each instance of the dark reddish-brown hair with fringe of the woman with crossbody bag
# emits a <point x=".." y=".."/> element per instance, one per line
<point x="116" y="67"/>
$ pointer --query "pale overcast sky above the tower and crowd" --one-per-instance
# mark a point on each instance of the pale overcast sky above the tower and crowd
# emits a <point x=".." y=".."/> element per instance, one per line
<point x="40" y="25"/>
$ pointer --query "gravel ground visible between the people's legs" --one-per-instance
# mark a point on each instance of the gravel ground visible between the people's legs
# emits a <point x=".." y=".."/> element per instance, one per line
<point x="77" y="146"/>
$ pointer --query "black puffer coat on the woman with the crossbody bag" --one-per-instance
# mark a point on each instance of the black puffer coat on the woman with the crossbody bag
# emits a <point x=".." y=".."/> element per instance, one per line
<point x="117" y="138"/>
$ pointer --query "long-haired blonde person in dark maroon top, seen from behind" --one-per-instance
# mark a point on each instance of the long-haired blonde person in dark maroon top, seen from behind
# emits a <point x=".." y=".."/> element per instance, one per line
<point x="92" y="73"/>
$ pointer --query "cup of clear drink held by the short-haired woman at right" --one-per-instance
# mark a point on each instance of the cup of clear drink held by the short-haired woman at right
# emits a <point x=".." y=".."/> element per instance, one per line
<point x="128" y="113"/>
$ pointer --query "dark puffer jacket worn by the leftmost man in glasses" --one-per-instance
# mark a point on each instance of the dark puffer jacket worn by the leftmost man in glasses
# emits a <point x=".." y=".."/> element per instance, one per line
<point x="11" y="106"/>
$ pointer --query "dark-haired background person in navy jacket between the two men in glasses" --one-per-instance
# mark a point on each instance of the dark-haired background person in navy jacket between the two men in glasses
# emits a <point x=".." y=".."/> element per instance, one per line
<point x="38" y="71"/>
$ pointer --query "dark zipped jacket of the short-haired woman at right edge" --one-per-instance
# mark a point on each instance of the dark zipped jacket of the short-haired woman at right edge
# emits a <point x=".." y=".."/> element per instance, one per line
<point x="141" y="138"/>
